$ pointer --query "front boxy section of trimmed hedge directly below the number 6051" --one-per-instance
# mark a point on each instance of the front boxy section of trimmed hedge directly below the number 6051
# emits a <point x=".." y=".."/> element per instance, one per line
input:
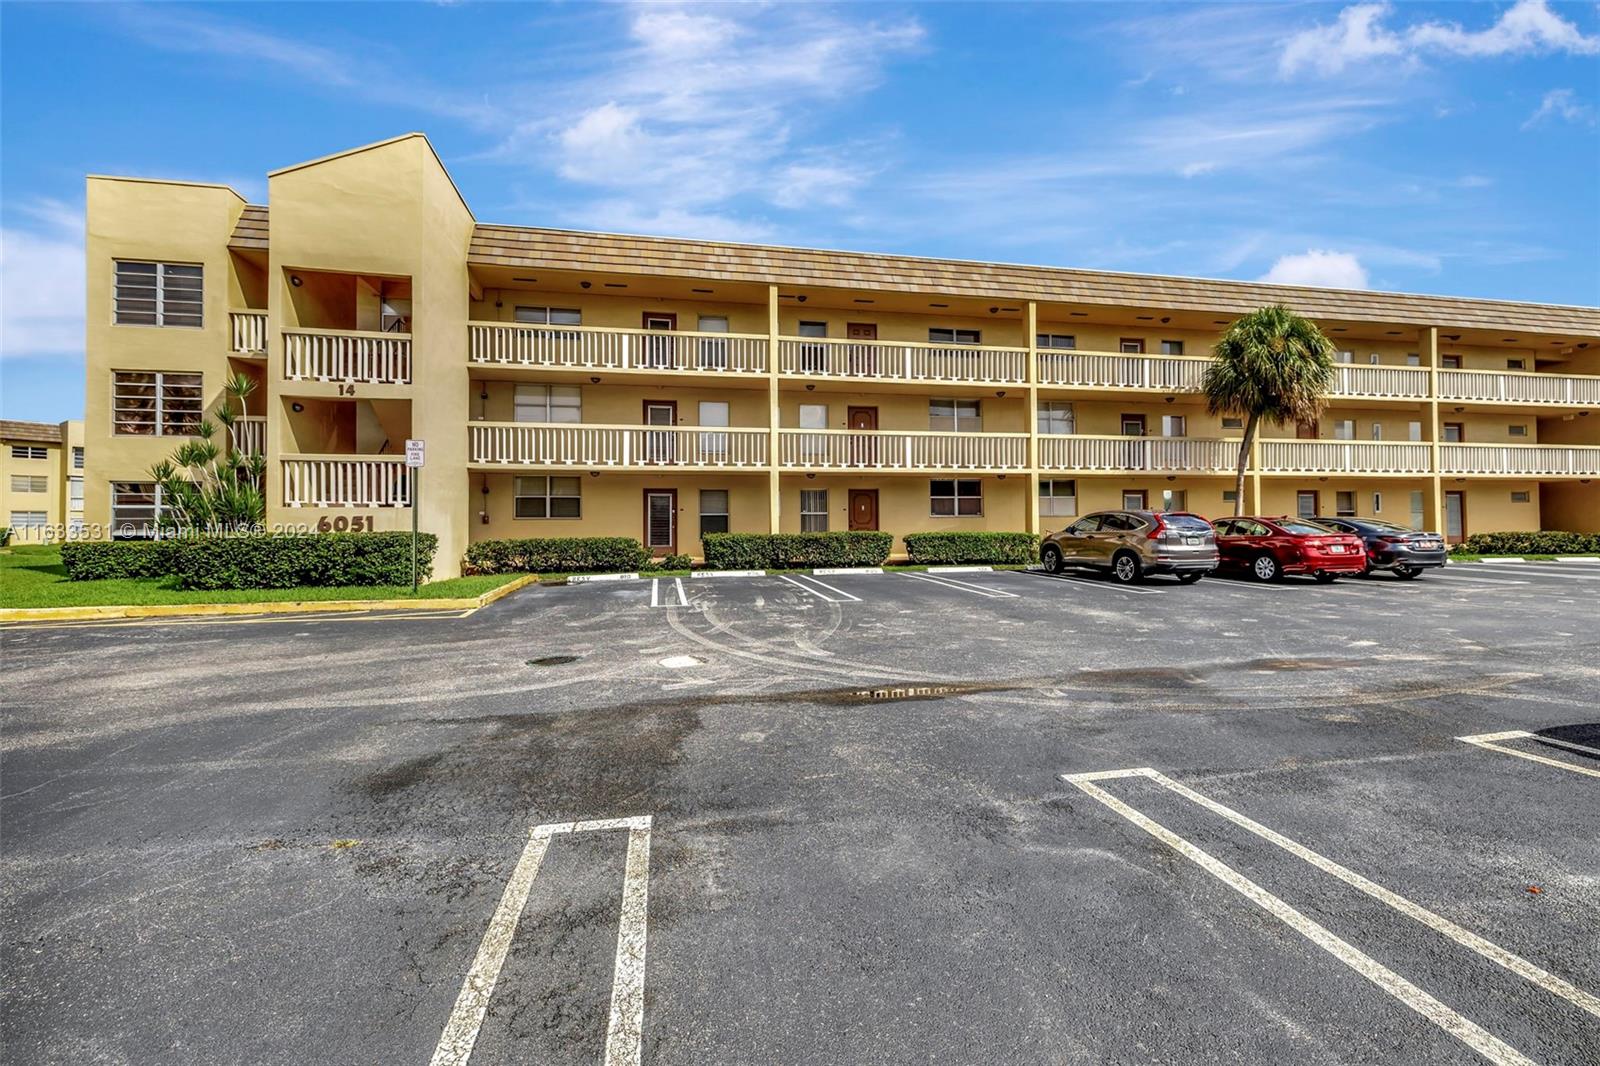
<point x="302" y="561"/>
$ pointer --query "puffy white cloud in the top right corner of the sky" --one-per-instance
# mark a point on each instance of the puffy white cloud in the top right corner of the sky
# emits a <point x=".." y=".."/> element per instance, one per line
<point x="1362" y="36"/>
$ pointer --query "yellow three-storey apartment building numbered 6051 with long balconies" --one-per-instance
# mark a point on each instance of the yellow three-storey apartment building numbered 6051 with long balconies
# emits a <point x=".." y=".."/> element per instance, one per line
<point x="575" y="383"/>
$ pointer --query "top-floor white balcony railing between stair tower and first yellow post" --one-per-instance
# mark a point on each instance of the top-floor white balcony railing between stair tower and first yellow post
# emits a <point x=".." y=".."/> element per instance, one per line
<point x="593" y="348"/>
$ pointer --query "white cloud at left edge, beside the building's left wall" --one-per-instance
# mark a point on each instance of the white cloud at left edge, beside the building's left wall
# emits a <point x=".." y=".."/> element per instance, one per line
<point x="42" y="284"/>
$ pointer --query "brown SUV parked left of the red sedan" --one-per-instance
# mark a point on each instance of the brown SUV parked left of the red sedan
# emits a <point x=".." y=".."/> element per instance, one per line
<point x="1134" y="543"/>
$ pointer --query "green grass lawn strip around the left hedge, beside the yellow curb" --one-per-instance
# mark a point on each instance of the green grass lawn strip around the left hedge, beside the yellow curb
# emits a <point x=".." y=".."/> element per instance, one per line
<point x="31" y="575"/>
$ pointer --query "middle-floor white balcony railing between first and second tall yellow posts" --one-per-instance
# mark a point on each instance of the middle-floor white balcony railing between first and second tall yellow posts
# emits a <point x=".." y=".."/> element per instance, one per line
<point x="882" y="451"/>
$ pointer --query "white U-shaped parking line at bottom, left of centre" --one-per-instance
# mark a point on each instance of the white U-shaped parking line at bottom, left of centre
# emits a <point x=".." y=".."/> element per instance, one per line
<point x="625" y="1032"/>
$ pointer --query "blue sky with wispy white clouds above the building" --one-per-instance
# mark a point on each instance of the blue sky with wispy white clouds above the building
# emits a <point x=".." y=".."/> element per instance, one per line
<point x="1420" y="148"/>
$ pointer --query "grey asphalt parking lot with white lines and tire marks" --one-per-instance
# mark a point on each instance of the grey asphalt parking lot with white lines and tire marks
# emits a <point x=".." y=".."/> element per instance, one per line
<point x="975" y="817"/>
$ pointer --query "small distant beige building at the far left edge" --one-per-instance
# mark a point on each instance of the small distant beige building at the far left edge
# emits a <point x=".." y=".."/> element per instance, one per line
<point x="42" y="479"/>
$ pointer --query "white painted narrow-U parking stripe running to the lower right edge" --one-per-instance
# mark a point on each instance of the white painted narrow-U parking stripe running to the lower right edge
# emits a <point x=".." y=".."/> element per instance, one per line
<point x="1447" y="1019"/>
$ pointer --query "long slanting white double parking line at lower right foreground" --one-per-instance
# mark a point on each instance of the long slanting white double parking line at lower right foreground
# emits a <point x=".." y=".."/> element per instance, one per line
<point x="1465" y="1030"/>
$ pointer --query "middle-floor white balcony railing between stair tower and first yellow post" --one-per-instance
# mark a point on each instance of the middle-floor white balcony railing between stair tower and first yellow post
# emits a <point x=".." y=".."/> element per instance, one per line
<point x="522" y="444"/>
